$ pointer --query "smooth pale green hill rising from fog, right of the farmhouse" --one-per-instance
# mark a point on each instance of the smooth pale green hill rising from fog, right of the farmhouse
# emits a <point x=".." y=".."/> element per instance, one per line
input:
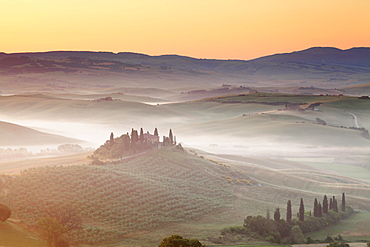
<point x="279" y="128"/>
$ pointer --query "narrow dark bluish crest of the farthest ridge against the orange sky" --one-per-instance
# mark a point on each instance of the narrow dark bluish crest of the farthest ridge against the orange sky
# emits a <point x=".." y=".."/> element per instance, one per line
<point x="357" y="56"/>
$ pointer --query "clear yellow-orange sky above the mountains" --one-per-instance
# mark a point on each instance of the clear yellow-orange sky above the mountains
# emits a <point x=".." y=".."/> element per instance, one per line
<point x="220" y="29"/>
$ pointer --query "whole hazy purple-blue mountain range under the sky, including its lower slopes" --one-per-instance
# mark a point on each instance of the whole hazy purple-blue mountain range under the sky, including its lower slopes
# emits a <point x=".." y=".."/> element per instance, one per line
<point x="322" y="67"/>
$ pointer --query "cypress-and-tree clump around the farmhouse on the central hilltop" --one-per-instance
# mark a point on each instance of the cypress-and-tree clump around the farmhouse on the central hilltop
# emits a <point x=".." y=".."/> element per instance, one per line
<point x="130" y="144"/>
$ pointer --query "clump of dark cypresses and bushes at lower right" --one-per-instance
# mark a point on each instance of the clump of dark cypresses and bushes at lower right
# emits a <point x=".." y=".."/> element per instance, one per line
<point x="291" y="230"/>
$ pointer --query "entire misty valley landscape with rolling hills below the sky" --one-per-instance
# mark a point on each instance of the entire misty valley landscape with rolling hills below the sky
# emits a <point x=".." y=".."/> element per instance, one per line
<point x="125" y="149"/>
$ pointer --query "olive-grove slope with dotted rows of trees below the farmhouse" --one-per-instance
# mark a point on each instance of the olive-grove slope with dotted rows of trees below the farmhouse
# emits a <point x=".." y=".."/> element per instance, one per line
<point x="117" y="200"/>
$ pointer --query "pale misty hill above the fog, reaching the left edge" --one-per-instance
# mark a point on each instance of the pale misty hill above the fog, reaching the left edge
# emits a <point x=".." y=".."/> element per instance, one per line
<point x="45" y="108"/>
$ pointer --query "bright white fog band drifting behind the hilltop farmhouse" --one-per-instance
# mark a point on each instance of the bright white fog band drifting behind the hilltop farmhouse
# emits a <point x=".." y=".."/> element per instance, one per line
<point x="93" y="135"/>
